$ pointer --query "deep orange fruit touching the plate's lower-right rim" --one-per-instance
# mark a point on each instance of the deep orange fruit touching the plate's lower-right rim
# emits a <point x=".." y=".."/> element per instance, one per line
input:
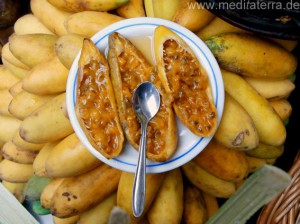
<point x="224" y="163"/>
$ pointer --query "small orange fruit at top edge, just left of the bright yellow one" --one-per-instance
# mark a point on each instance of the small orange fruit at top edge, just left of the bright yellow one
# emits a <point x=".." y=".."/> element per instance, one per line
<point x="134" y="8"/>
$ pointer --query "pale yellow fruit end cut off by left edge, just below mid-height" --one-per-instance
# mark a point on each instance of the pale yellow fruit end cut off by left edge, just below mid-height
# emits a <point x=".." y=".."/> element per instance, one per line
<point x="8" y="127"/>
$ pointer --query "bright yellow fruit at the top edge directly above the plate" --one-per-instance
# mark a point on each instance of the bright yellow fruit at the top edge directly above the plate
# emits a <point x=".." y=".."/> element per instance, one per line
<point x="161" y="9"/>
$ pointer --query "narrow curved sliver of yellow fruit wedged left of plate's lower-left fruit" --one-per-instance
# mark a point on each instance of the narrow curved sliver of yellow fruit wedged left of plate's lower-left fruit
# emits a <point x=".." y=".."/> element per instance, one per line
<point x="39" y="164"/>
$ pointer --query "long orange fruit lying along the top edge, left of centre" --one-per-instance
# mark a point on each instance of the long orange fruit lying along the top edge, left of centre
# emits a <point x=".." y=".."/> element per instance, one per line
<point x="87" y="5"/>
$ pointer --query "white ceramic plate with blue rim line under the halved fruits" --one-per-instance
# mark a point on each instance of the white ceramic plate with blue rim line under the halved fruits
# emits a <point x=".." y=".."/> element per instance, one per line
<point x="189" y="145"/>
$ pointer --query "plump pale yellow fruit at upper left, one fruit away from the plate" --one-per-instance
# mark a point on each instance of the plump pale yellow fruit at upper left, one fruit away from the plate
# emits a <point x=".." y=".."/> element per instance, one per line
<point x="32" y="49"/>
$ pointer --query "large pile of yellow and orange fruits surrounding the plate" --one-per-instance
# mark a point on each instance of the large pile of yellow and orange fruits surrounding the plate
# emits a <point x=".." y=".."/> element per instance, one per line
<point x="44" y="161"/>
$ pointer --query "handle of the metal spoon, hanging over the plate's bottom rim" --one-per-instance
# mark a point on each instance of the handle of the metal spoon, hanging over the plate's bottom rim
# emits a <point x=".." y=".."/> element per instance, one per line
<point x="139" y="186"/>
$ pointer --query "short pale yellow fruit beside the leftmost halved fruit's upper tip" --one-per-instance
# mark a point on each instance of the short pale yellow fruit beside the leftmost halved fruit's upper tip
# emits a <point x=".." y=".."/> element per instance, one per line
<point x="67" y="47"/>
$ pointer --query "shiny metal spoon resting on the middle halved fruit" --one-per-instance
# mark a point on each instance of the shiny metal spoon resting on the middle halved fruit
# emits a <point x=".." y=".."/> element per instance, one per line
<point x="145" y="103"/>
